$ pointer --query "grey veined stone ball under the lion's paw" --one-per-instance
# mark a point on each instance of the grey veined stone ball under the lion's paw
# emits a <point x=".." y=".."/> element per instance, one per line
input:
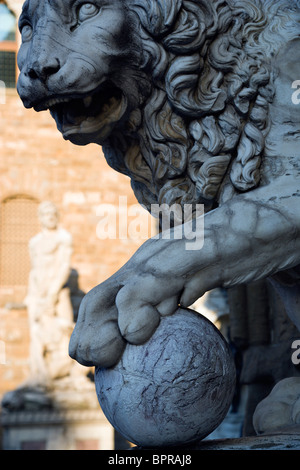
<point x="174" y="389"/>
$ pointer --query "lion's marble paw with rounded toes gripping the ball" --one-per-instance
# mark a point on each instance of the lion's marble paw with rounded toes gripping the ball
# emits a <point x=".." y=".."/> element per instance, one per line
<point x="112" y="315"/>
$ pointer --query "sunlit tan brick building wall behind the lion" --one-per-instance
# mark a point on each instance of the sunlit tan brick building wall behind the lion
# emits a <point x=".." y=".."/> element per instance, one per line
<point x="36" y="164"/>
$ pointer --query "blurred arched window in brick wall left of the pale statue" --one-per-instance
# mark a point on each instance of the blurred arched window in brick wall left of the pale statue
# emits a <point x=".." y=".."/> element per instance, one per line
<point x="18" y="223"/>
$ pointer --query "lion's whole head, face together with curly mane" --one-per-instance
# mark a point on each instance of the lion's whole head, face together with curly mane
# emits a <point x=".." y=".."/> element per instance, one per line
<point x="176" y="91"/>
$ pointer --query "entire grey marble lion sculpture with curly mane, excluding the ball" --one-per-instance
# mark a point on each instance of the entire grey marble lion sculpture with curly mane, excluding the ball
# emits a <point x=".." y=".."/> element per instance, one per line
<point x="195" y="101"/>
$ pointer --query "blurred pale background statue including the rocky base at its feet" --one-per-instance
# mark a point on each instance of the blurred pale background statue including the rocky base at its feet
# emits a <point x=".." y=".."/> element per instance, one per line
<point x="51" y="322"/>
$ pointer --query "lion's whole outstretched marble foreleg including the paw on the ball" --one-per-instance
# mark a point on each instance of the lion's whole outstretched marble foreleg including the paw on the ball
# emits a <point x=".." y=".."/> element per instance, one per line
<point x="248" y="238"/>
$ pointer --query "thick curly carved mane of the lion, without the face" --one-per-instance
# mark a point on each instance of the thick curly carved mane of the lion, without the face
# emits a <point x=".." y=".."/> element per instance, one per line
<point x="206" y="120"/>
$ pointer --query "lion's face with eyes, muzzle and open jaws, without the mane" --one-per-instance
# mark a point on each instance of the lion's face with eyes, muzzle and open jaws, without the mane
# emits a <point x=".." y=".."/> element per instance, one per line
<point x="76" y="61"/>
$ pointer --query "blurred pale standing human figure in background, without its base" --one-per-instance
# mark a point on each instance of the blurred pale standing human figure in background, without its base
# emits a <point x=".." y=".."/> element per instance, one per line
<point x="48" y="300"/>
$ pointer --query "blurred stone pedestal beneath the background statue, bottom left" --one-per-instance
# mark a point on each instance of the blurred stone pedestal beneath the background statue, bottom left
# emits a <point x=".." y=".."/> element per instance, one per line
<point x="56" y="430"/>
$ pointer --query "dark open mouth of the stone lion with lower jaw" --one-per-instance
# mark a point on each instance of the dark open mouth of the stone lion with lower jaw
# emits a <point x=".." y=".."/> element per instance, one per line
<point x="88" y="118"/>
